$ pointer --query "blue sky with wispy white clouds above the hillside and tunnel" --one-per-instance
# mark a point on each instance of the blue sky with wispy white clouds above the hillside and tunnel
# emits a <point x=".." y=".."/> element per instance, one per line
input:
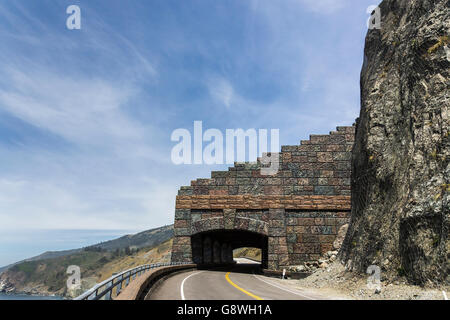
<point x="86" y="115"/>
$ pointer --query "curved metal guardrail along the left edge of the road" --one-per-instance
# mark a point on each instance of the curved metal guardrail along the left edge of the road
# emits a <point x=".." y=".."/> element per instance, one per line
<point x="105" y="289"/>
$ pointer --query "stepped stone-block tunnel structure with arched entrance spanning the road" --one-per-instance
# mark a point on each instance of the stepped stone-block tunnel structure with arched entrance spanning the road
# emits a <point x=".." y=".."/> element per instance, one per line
<point x="292" y="216"/>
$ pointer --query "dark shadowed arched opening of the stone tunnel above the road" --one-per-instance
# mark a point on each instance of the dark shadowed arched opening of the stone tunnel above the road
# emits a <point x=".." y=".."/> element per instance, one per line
<point x="216" y="247"/>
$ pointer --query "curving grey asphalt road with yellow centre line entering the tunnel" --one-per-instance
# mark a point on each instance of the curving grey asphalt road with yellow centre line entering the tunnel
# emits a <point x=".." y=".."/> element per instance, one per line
<point x="240" y="282"/>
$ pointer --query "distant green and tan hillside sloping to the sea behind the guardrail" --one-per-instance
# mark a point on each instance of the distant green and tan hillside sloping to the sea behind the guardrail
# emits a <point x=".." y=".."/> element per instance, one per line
<point x="97" y="262"/>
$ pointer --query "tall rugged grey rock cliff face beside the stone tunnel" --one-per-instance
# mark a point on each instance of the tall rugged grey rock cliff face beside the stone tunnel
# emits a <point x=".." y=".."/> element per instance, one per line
<point x="400" y="179"/>
